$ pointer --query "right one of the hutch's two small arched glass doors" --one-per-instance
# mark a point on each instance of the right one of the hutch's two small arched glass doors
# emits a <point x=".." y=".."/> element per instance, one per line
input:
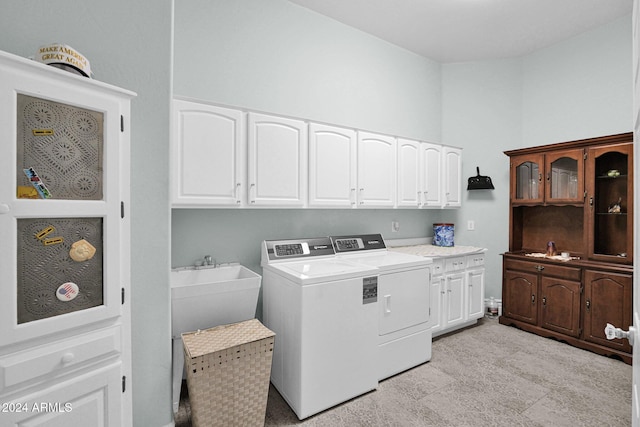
<point x="564" y="176"/>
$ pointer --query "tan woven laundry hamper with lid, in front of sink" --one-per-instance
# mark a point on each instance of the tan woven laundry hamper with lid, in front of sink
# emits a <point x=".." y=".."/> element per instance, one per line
<point x="228" y="369"/>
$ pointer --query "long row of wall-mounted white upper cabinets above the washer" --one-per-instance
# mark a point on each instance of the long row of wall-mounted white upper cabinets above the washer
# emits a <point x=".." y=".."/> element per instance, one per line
<point x="228" y="158"/>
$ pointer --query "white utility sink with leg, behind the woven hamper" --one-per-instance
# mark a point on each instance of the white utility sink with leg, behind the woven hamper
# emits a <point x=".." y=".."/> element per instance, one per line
<point x="206" y="297"/>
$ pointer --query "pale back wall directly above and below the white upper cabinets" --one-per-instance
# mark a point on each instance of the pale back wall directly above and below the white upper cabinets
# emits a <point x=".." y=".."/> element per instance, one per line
<point x="278" y="57"/>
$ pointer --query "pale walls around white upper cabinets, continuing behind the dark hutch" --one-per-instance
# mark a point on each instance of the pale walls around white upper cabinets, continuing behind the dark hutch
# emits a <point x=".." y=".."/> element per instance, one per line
<point x="277" y="57"/>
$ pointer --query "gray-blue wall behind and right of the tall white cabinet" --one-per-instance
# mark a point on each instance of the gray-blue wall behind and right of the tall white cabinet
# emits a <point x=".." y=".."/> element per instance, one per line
<point x="128" y="44"/>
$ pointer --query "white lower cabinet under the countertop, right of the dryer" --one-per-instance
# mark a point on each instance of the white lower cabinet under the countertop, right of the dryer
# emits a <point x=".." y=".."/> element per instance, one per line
<point x="457" y="292"/>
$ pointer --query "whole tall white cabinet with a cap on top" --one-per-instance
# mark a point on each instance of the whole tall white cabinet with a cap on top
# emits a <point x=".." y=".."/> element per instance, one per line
<point x="65" y="345"/>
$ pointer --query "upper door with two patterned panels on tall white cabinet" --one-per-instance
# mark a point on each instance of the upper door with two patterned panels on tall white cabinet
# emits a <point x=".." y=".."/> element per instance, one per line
<point x="64" y="203"/>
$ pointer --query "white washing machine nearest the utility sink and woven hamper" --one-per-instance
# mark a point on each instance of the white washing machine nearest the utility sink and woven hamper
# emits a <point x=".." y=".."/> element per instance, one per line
<point x="323" y="311"/>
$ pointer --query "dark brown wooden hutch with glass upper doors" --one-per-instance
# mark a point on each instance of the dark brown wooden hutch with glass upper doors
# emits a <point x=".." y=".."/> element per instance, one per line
<point x="579" y="195"/>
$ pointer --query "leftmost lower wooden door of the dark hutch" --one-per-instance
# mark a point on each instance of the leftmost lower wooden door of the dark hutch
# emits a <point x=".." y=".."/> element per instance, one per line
<point x="519" y="300"/>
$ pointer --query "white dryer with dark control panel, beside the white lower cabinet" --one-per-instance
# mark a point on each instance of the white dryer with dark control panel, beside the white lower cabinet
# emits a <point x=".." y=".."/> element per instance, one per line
<point x="404" y="328"/>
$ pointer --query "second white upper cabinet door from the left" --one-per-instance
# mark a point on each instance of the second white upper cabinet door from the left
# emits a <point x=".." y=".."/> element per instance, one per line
<point x="277" y="161"/>
